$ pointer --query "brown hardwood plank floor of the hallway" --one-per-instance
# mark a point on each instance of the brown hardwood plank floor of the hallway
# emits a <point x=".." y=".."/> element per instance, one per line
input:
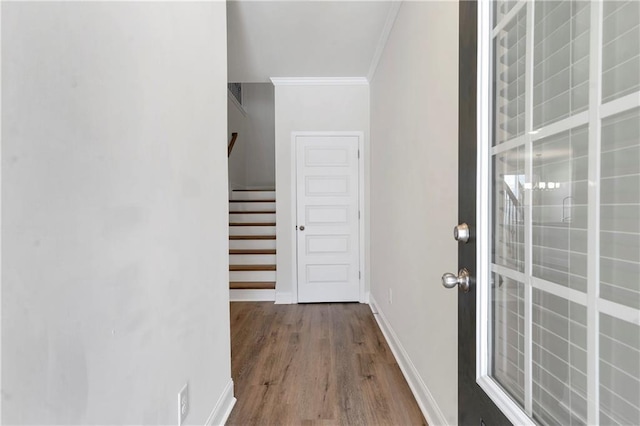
<point x="315" y="364"/>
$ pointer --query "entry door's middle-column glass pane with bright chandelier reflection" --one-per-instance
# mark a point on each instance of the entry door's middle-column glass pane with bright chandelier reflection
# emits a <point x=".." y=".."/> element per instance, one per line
<point x="559" y="198"/>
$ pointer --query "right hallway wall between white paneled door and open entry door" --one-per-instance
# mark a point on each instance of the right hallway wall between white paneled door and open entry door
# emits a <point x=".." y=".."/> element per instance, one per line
<point x="414" y="193"/>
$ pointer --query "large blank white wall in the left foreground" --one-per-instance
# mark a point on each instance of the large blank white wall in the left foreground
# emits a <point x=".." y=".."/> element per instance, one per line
<point x="114" y="231"/>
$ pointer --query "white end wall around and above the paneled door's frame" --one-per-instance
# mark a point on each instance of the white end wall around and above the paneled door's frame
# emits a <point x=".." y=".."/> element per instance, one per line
<point x="308" y="108"/>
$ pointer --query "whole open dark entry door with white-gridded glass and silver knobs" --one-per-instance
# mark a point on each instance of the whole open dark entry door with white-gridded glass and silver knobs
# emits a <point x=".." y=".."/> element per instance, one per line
<point x="550" y="136"/>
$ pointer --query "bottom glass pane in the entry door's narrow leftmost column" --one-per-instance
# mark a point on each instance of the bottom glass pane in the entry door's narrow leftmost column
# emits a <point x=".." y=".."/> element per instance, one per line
<point x="508" y="335"/>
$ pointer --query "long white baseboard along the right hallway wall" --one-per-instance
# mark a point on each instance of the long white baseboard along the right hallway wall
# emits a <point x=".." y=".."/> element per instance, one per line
<point x="430" y="409"/>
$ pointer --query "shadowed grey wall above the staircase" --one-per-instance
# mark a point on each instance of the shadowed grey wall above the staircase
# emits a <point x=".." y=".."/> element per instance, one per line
<point x="253" y="164"/>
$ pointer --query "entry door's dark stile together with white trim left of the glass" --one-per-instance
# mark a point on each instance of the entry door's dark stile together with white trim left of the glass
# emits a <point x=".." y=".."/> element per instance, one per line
<point x="478" y="393"/>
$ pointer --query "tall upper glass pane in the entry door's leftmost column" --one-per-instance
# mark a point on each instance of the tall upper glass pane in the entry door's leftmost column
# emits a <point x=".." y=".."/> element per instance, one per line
<point x="509" y="69"/>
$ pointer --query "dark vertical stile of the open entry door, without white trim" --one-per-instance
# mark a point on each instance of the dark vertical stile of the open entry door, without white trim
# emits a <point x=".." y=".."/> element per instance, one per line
<point x="474" y="406"/>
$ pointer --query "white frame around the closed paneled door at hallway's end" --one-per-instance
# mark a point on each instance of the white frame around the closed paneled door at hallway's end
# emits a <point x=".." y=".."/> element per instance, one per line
<point x="361" y="206"/>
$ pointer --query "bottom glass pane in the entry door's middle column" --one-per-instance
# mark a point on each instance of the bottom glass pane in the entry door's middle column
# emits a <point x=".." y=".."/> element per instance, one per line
<point x="559" y="356"/>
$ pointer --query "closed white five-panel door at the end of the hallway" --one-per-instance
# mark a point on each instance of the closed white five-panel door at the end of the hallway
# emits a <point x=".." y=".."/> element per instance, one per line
<point x="328" y="249"/>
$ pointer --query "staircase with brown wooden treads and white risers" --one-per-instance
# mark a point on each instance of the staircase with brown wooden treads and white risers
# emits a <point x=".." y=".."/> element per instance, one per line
<point x="252" y="245"/>
